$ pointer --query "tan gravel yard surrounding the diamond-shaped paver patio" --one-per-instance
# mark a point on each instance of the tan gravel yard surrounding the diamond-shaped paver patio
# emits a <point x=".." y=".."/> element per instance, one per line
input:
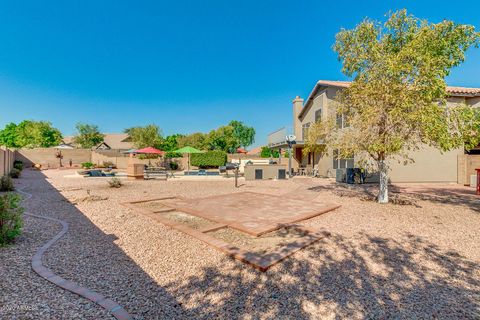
<point x="381" y="261"/>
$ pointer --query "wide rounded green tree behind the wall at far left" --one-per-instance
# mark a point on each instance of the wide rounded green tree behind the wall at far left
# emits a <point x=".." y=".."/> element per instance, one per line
<point x="37" y="134"/>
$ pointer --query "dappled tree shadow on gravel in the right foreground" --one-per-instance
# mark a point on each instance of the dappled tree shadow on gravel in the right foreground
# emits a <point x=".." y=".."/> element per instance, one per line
<point x="368" y="277"/>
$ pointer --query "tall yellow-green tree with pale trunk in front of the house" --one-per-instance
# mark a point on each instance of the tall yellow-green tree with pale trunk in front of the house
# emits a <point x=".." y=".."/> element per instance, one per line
<point x="397" y="101"/>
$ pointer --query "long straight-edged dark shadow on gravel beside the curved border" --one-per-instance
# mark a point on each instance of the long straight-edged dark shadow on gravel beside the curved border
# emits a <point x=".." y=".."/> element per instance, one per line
<point x="89" y="257"/>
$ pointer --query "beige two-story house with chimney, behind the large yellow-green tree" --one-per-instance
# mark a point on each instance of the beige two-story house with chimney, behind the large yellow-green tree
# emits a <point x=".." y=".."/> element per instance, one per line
<point x="430" y="164"/>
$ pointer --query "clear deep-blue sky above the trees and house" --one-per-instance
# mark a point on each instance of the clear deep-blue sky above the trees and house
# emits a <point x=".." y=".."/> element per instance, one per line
<point x="186" y="66"/>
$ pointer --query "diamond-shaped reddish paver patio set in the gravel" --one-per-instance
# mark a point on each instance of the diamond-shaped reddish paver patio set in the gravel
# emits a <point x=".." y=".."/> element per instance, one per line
<point x="251" y="213"/>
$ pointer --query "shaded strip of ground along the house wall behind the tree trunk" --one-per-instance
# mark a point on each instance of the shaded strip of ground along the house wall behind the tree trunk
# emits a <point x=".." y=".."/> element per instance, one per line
<point x="458" y="196"/>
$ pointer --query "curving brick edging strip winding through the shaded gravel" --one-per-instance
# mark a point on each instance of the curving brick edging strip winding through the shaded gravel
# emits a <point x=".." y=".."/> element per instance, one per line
<point x="37" y="265"/>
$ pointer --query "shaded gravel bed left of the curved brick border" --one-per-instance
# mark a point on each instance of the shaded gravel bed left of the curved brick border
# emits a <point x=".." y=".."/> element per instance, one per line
<point x="23" y="294"/>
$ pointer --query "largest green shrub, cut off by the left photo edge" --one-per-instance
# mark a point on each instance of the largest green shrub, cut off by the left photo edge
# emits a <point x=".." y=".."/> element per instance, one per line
<point x="10" y="217"/>
